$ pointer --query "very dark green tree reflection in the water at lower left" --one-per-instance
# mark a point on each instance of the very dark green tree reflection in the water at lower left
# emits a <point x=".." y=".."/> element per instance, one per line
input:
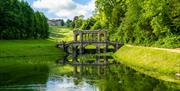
<point x="24" y="74"/>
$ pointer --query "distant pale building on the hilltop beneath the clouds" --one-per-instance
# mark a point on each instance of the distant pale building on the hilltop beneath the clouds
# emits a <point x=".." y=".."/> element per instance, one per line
<point x="56" y="22"/>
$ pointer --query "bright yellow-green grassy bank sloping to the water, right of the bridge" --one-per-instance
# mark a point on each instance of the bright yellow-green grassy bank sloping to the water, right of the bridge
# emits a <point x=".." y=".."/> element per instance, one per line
<point x="158" y="63"/>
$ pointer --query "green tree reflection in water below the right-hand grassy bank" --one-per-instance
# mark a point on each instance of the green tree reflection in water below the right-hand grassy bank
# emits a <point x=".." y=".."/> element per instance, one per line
<point x="125" y="79"/>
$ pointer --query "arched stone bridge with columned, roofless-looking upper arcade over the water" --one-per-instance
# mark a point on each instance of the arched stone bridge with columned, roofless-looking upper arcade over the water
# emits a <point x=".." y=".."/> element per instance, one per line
<point x="84" y="38"/>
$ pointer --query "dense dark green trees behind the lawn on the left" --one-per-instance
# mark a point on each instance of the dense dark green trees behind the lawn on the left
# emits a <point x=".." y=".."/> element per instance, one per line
<point x="19" y="21"/>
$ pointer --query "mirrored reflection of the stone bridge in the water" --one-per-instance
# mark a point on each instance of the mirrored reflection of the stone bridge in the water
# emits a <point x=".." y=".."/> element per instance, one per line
<point x="90" y="65"/>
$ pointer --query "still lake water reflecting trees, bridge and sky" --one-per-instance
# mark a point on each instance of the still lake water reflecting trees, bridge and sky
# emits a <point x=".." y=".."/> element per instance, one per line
<point x="86" y="73"/>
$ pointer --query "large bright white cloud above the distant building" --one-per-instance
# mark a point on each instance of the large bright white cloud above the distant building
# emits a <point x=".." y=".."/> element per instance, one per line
<point x="65" y="8"/>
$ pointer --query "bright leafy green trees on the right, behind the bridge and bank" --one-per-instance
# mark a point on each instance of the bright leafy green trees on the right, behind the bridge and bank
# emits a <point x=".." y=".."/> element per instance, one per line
<point x="141" y="22"/>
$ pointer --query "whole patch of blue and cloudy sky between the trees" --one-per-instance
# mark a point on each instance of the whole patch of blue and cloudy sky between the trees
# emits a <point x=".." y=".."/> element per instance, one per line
<point x="64" y="9"/>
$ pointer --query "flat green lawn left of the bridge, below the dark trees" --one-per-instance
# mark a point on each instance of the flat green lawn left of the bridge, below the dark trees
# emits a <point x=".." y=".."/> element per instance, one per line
<point x="23" y="48"/>
